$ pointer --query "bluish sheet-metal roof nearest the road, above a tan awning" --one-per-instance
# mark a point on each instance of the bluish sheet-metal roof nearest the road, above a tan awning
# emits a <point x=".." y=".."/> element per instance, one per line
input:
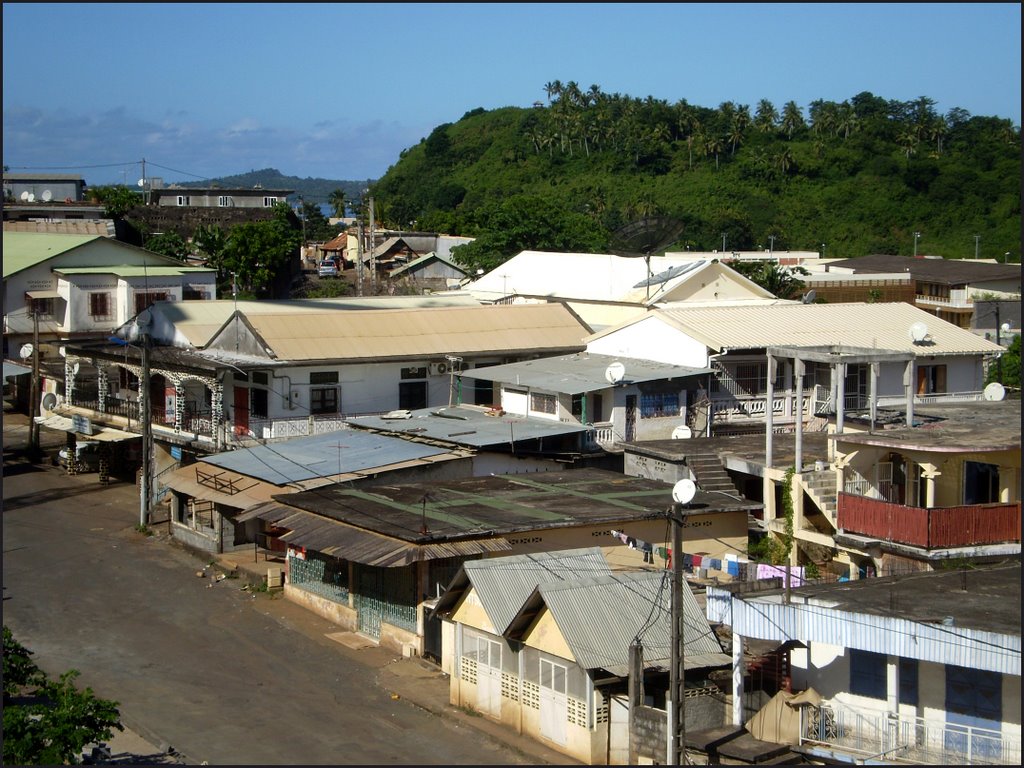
<point x="342" y="452"/>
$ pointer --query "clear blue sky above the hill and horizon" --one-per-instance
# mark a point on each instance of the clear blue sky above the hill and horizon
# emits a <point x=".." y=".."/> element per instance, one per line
<point x="338" y="91"/>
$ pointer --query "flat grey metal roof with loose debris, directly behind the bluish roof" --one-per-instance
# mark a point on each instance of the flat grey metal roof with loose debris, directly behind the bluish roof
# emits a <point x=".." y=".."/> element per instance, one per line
<point x="466" y="425"/>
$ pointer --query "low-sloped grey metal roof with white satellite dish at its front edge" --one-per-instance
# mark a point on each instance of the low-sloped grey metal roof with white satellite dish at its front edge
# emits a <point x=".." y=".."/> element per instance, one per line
<point x="583" y="372"/>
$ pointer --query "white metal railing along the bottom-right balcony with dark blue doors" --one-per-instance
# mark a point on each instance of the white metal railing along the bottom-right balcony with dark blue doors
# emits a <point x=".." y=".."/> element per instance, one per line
<point x="907" y="740"/>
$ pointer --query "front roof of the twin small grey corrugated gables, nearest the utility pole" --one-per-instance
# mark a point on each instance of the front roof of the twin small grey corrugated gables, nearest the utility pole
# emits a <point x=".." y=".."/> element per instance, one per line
<point x="625" y="606"/>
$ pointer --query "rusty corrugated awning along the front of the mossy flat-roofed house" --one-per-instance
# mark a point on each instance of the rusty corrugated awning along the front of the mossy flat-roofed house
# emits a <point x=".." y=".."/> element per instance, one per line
<point x="359" y="545"/>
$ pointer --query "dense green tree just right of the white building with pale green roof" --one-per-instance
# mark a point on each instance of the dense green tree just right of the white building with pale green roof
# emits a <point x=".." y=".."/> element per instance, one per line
<point x="257" y="251"/>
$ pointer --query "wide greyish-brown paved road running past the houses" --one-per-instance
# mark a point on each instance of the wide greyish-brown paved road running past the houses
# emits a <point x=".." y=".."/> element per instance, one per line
<point x="207" y="670"/>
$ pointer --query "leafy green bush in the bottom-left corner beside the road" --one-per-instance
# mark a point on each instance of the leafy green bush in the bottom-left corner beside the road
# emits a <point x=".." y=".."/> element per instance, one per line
<point x="49" y="722"/>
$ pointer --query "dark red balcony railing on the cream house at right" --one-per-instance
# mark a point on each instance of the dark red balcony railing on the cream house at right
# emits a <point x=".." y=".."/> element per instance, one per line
<point x="965" y="526"/>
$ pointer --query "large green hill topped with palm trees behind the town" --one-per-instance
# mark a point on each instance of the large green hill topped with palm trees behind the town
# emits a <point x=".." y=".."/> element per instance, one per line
<point x="862" y="177"/>
